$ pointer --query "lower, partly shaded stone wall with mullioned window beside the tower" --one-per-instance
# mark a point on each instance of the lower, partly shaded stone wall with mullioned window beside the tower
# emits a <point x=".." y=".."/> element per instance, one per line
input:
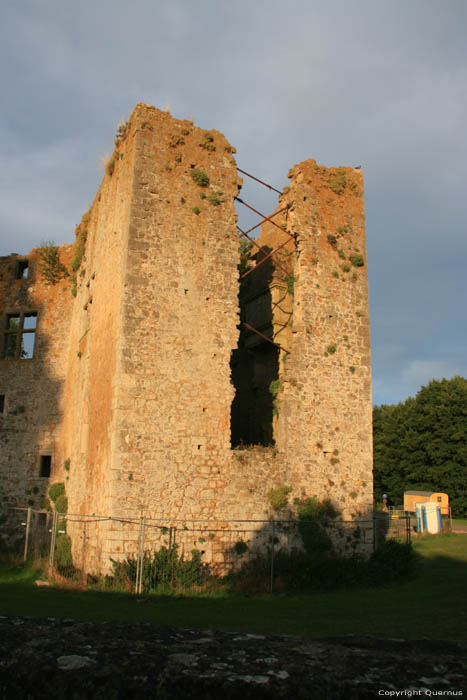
<point x="31" y="421"/>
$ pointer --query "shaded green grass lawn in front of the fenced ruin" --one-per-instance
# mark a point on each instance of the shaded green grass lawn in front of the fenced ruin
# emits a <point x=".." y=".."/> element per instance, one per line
<point x="432" y="603"/>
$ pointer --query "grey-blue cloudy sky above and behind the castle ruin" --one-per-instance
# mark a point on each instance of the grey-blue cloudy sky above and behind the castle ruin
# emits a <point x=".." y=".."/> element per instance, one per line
<point x="381" y="83"/>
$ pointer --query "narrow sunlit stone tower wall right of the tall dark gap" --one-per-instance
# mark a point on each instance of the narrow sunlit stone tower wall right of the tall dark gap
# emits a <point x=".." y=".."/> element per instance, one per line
<point x="326" y="405"/>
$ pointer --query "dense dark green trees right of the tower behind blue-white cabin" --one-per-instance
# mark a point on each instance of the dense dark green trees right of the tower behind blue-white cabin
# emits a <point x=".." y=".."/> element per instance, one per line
<point x="421" y="444"/>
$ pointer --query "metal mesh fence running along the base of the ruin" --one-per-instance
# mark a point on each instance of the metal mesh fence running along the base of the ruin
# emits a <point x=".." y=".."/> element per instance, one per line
<point x="87" y="548"/>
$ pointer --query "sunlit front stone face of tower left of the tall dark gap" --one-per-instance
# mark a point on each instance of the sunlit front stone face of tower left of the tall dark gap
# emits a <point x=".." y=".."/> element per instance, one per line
<point x="179" y="321"/>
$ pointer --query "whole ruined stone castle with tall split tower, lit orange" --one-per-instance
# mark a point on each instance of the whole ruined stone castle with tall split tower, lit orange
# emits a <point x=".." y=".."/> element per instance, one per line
<point x="145" y="375"/>
